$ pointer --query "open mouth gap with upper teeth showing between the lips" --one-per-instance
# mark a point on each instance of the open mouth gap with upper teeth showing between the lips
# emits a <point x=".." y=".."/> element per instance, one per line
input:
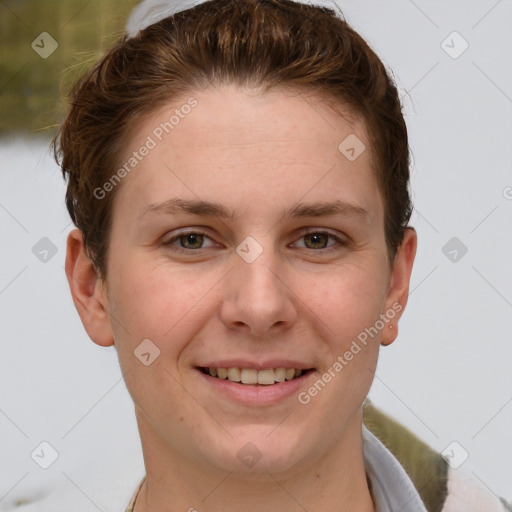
<point x="253" y="377"/>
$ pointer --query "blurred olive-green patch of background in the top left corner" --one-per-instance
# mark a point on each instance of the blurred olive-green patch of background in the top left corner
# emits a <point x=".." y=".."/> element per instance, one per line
<point x="34" y="81"/>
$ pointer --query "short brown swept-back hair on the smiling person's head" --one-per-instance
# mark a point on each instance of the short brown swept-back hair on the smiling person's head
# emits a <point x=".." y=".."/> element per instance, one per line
<point x="256" y="43"/>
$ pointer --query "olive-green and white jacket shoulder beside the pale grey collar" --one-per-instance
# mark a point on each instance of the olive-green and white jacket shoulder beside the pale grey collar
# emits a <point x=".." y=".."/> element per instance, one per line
<point x="441" y="488"/>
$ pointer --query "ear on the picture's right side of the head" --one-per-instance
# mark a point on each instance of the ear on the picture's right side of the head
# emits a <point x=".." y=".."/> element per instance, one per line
<point x="398" y="290"/>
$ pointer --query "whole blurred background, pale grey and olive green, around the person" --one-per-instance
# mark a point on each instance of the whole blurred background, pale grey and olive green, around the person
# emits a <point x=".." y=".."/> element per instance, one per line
<point x="68" y="435"/>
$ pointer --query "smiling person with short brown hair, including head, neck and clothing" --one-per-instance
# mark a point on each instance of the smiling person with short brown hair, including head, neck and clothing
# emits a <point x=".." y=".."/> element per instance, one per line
<point x="238" y="175"/>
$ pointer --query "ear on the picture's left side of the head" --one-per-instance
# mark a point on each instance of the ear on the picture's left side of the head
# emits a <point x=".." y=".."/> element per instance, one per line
<point x="88" y="291"/>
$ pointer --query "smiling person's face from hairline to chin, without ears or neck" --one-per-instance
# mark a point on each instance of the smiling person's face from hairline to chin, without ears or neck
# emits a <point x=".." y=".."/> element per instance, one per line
<point x="246" y="240"/>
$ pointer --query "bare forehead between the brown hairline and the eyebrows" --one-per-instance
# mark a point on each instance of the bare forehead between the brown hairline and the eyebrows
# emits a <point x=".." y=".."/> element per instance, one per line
<point x="246" y="145"/>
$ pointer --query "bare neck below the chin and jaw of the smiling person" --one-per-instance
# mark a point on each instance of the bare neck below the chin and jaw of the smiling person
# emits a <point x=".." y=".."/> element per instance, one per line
<point x="334" y="482"/>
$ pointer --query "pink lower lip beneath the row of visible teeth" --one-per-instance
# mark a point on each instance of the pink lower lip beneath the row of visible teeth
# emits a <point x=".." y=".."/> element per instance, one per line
<point x="255" y="395"/>
